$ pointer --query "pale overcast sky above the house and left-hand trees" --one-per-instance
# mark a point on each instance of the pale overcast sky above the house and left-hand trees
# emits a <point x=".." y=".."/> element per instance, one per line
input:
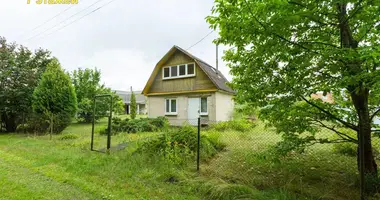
<point x="122" y="38"/>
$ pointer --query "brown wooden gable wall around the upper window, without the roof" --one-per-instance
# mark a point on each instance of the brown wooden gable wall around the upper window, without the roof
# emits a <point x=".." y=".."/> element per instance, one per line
<point x="199" y="83"/>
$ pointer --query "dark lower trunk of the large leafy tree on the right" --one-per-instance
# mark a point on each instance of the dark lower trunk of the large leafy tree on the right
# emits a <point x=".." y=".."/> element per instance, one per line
<point x="360" y="101"/>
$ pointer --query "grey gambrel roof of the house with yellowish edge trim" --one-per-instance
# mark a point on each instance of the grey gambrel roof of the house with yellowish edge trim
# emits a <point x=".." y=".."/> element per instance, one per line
<point x="213" y="74"/>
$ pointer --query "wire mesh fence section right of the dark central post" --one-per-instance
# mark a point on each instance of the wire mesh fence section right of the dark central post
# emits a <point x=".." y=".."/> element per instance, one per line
<point x="321" y="165"/>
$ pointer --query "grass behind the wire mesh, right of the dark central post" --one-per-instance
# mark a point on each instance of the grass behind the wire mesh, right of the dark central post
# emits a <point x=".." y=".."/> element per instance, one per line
<point x="316" y="174"/>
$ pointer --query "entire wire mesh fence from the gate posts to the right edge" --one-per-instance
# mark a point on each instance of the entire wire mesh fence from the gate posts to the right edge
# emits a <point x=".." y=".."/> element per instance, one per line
<point x="322" y="164"/>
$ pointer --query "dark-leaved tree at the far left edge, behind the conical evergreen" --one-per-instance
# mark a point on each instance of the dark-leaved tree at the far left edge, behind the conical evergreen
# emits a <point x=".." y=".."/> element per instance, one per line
<point x="20" y="71"/>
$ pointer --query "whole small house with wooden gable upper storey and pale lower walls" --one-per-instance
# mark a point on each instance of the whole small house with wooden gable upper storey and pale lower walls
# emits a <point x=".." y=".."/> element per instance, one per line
<point x="182" y="87"/>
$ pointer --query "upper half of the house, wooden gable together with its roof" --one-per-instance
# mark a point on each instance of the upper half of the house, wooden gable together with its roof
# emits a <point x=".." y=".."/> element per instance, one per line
<point x="206" y="79"/>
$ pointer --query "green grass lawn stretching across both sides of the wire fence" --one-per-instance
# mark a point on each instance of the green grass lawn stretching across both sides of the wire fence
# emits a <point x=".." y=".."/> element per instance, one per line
<point x="34" y="167"/>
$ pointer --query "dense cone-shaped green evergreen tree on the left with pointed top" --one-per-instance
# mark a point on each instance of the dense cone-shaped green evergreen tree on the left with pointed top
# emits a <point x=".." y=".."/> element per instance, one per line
<point x="55" y="95"/>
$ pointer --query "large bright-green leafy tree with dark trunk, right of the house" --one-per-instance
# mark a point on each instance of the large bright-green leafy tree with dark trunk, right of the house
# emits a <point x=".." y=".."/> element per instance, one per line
<point x="284" y="51"/>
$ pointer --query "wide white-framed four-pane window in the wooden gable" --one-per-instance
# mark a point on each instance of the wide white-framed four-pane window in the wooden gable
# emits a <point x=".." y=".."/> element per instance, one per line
<point x="179" y="71"/>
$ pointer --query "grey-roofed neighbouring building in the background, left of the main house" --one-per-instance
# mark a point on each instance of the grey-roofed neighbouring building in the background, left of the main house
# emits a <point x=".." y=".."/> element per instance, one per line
<point x="140" y="101"/>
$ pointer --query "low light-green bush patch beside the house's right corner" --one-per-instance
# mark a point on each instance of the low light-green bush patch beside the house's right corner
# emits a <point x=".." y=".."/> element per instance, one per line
<point x="235" y="125"/>
